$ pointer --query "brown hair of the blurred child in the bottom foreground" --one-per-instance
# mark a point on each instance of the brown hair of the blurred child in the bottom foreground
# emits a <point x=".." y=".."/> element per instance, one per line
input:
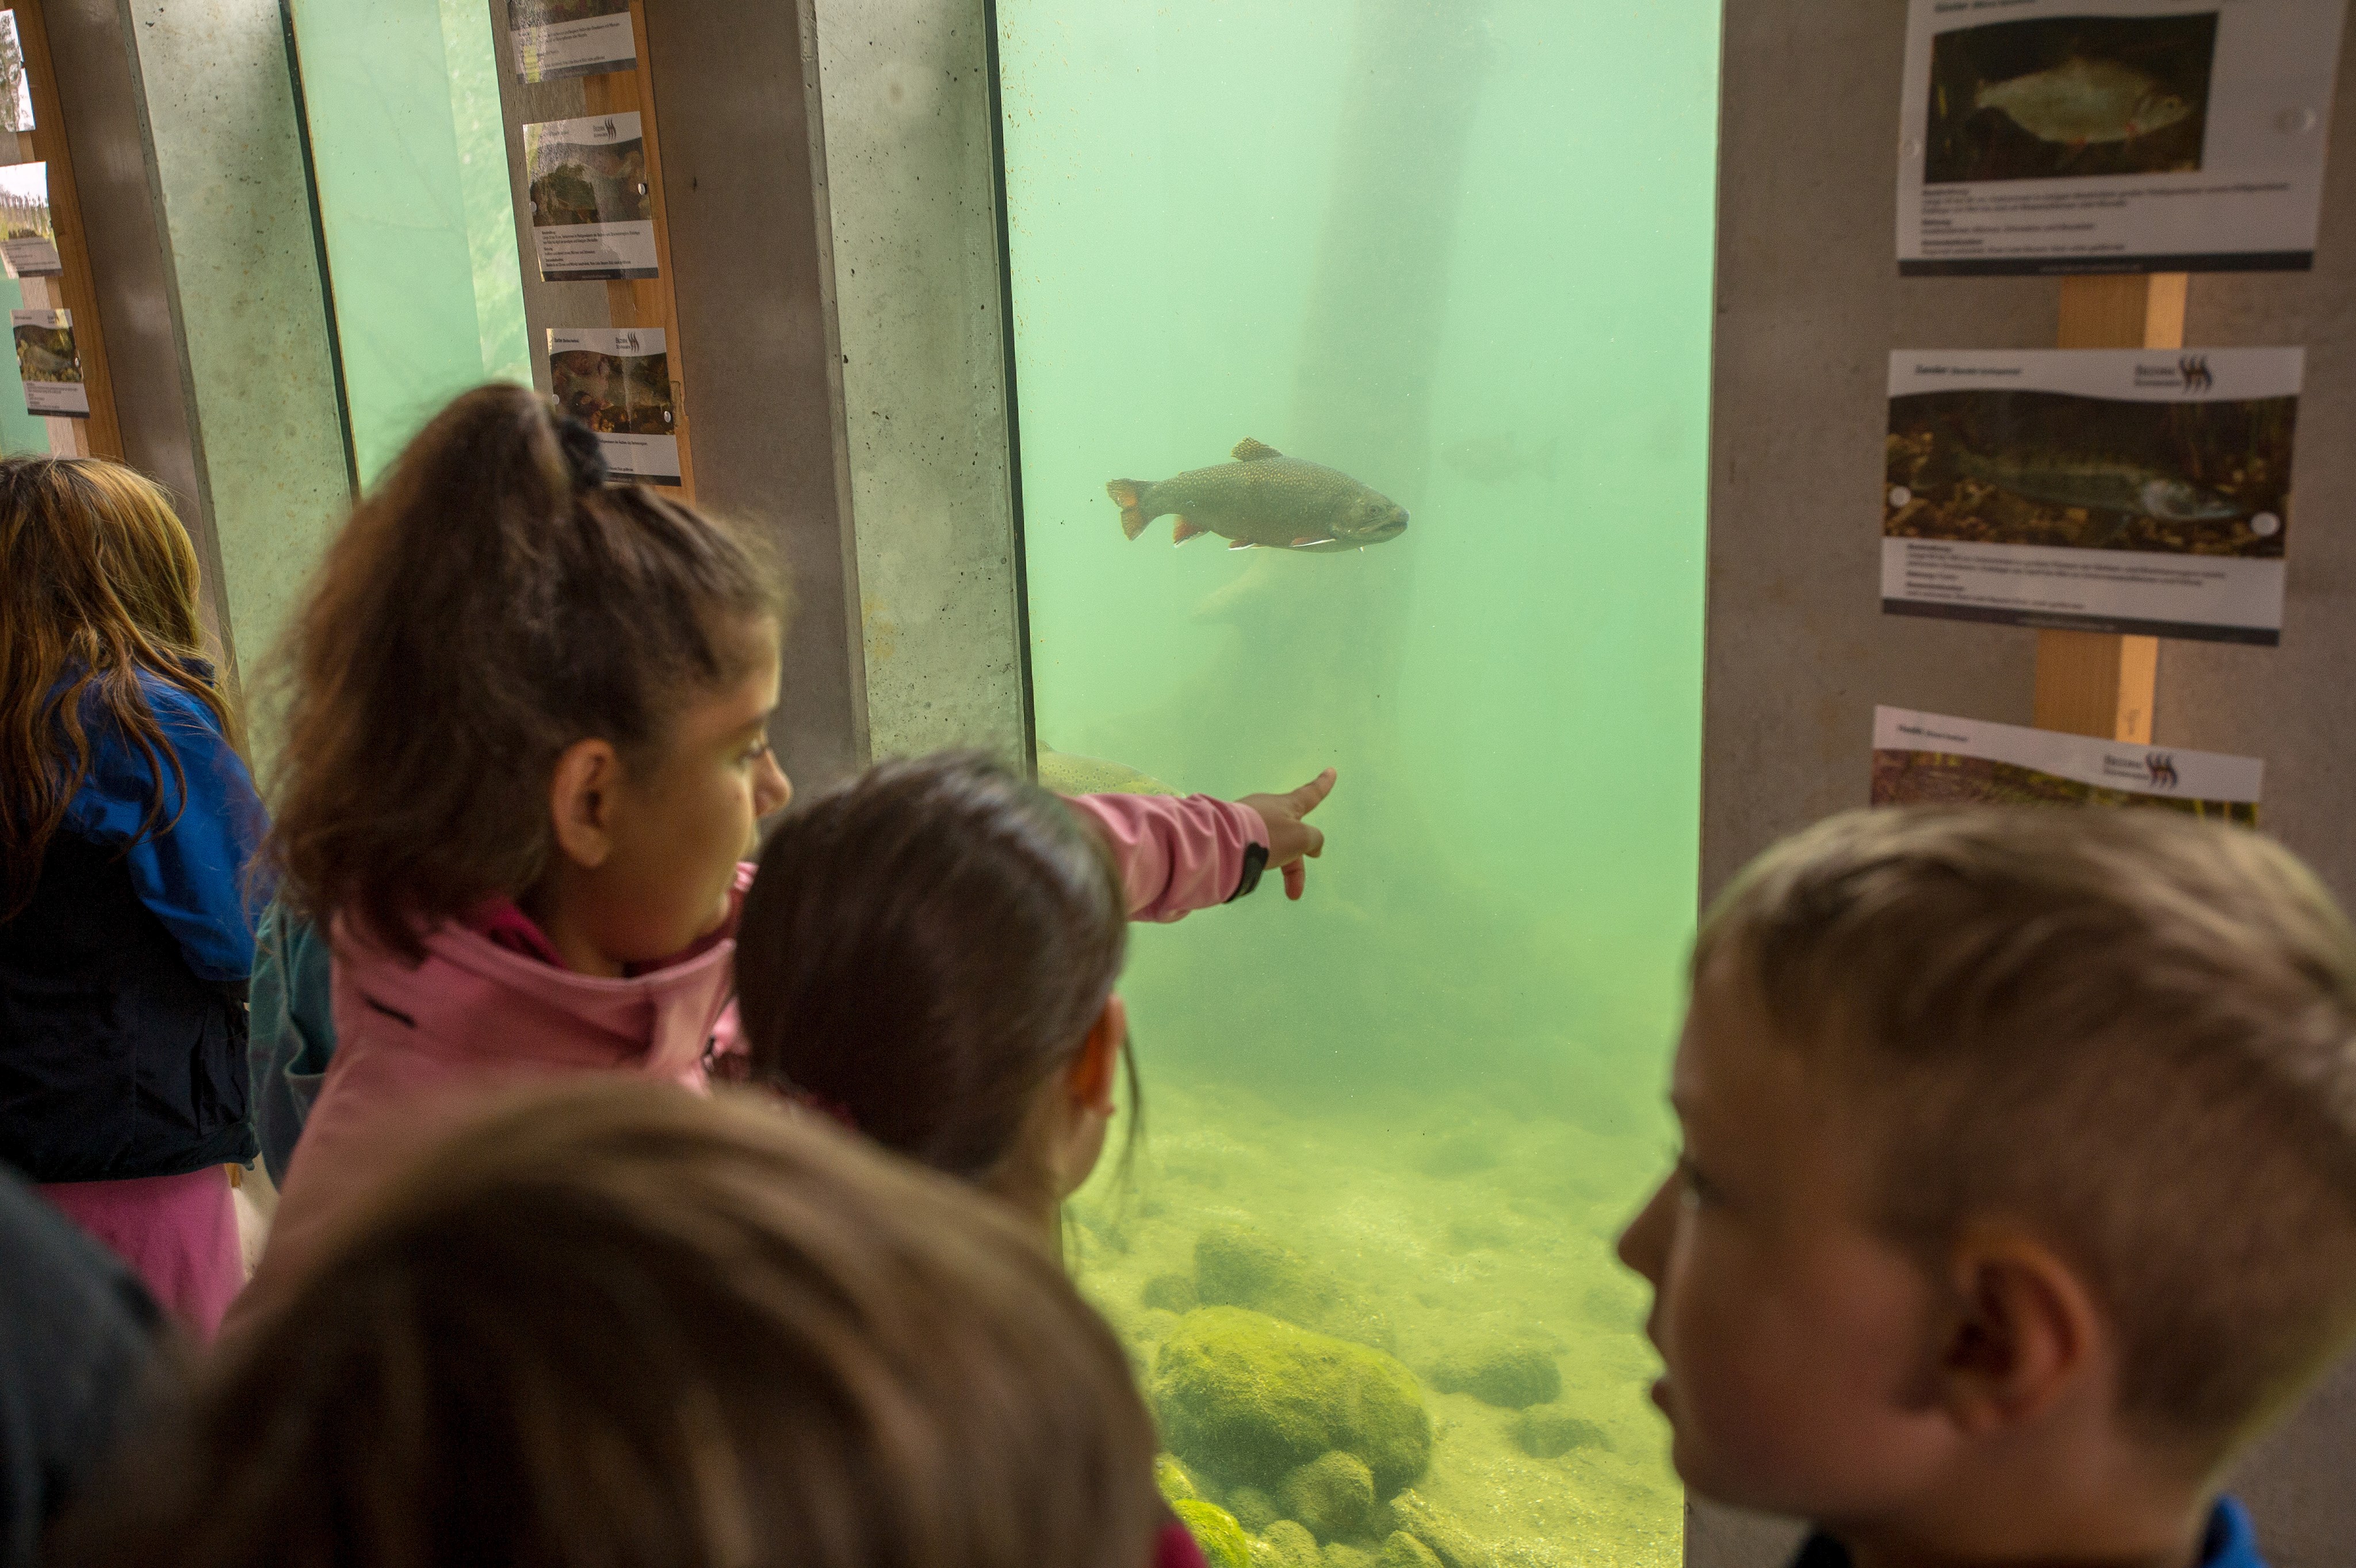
<point x="618" y="1327"/>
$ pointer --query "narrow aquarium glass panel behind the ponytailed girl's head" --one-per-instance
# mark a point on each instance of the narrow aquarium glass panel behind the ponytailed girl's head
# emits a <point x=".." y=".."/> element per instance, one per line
<point x="411" y="168"/>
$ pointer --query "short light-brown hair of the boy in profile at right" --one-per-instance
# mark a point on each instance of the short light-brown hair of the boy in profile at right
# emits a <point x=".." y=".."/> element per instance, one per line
<point x="2129" y="1030"/>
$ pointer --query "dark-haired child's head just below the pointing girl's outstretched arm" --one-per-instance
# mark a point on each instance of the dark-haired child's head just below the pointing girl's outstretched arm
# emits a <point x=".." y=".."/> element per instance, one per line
<point x="929" y="952"/>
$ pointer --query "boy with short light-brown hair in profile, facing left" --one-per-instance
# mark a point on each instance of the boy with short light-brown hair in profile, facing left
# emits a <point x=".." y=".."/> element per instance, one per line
<point x="2018" y="1185"/>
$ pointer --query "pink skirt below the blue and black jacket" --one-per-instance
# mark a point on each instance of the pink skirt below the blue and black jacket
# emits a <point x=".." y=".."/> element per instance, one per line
<point x="180" y="1235"/>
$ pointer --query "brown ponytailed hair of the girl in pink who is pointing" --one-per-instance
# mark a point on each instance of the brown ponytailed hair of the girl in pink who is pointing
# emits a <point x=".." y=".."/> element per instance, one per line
<point x="489" y="606"/>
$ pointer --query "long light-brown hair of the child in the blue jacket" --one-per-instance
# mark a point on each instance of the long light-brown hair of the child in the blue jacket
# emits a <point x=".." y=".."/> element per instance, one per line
<point x="98" y="585"/>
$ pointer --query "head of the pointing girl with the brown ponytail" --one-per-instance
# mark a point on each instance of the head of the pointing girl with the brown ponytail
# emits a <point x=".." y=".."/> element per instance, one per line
<point x="515" y="679"/>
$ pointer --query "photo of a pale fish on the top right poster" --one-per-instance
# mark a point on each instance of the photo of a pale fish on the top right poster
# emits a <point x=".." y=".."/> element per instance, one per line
<point x="2070" y="98"/>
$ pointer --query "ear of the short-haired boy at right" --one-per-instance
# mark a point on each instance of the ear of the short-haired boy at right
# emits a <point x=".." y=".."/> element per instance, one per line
<point x="2023" y="1336"/>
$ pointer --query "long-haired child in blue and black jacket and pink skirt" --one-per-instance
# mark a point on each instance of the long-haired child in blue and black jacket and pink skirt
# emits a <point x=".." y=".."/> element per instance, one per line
<point x="126" y="926"/>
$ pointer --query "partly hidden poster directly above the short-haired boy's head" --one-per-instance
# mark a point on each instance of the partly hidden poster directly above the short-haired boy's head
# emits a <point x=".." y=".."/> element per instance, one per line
<point x="1933" y="759"/>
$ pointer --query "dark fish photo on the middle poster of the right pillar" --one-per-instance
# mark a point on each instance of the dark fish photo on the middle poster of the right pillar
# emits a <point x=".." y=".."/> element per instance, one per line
<point x="2034" y="467"/>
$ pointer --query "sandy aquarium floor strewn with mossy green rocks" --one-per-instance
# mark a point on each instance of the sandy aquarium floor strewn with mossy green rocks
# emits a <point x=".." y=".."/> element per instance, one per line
<point x="1391" y="1336"/>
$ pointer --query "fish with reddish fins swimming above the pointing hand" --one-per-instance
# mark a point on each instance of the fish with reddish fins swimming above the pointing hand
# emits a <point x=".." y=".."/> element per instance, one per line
<point x="1264" y="500"/>
